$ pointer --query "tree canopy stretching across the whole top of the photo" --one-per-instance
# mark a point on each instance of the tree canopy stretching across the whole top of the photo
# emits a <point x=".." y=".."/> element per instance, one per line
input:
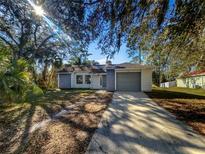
<point x="135" y="22"/>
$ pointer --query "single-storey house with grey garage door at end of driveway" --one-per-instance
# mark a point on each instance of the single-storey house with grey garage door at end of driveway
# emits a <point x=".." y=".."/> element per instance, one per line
<point x="111" y="77"/>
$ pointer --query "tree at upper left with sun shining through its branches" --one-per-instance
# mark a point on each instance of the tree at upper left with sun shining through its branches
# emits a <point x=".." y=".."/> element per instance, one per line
<point x="36" y="39"/>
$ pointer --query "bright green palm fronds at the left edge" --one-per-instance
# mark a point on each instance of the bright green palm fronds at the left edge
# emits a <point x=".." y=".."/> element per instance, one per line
<point x="15" y="80"/>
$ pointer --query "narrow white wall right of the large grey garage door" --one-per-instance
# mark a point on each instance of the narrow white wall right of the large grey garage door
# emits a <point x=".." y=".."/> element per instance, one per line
<point x="146" y="79"/>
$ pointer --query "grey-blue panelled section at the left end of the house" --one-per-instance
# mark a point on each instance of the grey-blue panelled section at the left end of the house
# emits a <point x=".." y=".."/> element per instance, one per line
<point x="64" y="81"/>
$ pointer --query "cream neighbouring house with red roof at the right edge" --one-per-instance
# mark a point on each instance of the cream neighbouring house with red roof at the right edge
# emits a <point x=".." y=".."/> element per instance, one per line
<point x="195" y="79"/>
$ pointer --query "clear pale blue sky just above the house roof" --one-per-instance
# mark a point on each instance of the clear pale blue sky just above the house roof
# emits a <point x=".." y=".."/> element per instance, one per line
<point x="120" y="57"/>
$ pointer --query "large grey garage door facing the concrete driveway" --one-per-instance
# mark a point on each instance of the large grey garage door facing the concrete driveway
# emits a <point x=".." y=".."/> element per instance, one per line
<point x="128" y="81"/>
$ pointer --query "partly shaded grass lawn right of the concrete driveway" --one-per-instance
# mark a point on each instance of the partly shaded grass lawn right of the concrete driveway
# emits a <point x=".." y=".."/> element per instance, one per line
<point x="187" y="104"/>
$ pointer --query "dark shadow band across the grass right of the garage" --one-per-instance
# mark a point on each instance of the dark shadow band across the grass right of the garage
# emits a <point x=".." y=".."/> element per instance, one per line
<point x="165" y="94"/>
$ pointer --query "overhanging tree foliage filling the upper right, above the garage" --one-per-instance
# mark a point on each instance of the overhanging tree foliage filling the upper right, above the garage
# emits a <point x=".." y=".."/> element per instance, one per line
<point x="169" y="34"/>
